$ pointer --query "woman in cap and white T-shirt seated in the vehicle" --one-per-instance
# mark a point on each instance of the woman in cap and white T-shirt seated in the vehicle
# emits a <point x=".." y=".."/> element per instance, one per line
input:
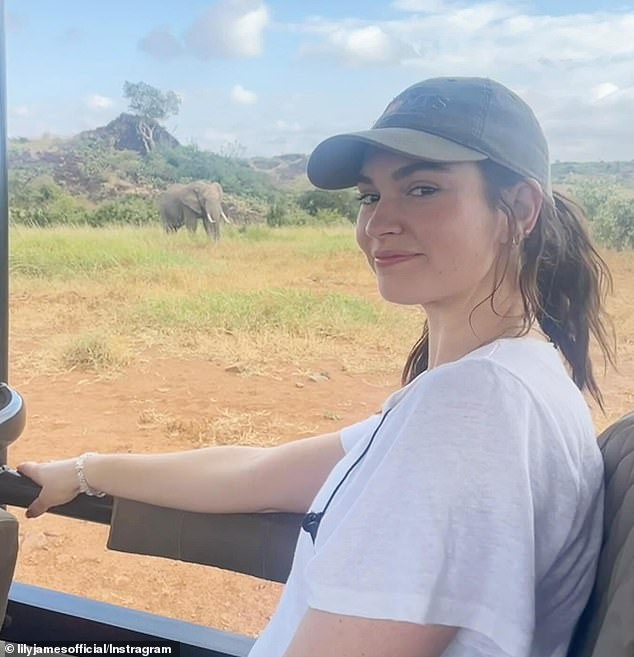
<point x="465" y="519"/>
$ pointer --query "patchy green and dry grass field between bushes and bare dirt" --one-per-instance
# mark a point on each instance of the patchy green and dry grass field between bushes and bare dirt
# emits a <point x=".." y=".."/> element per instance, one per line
<point x="261" y="296"/>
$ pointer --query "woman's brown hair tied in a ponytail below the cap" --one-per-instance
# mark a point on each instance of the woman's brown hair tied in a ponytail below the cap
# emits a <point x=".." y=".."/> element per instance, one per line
<point x="562" y="278"/>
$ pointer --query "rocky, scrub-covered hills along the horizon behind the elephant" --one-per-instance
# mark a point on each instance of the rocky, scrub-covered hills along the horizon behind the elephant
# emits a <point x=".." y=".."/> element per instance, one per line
<point x="112" y="160"/>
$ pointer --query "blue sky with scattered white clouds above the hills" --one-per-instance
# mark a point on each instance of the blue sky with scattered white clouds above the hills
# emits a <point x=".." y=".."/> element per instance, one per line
<point x="277" y="76"/>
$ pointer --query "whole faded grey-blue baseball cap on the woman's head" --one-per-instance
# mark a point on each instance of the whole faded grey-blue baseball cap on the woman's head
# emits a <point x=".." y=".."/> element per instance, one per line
<point x="461" y="119"/>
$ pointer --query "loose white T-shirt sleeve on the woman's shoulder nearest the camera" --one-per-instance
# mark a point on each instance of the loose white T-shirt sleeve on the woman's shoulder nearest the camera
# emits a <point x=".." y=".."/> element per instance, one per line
<point x="443" y="530"/>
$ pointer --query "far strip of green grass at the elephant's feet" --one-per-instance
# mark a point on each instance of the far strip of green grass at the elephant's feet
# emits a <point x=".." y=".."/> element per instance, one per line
<point x="69" y="252"/>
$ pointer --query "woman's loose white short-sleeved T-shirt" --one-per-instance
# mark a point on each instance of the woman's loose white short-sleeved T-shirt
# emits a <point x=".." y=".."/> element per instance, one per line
<point x="478" y="505"/>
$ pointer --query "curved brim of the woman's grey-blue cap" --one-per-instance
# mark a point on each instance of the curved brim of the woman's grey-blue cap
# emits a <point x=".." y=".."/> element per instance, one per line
<point x="336" y="162"/>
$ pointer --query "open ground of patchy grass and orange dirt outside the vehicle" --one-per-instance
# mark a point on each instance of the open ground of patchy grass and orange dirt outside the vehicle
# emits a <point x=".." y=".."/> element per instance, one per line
<point x="125" y="339"/>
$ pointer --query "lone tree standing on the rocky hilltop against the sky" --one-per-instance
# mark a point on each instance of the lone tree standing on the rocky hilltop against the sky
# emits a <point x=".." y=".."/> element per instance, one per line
<point x="150" y="105"/>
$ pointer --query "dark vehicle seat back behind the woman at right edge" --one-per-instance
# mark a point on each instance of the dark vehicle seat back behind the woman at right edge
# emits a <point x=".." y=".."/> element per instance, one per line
<point x="606" y="627"/>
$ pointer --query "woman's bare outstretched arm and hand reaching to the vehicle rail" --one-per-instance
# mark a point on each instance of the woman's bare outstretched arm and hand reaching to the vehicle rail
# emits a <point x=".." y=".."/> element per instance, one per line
<point x="226" y="479"/>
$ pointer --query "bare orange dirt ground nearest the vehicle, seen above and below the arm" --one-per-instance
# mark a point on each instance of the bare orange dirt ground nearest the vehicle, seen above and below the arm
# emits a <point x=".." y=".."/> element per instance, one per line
<point x="164" y="404"/>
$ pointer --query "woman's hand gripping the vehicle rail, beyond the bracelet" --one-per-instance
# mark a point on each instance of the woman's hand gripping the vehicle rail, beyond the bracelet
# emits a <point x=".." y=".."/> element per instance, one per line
<point x="58" y="480"/>
